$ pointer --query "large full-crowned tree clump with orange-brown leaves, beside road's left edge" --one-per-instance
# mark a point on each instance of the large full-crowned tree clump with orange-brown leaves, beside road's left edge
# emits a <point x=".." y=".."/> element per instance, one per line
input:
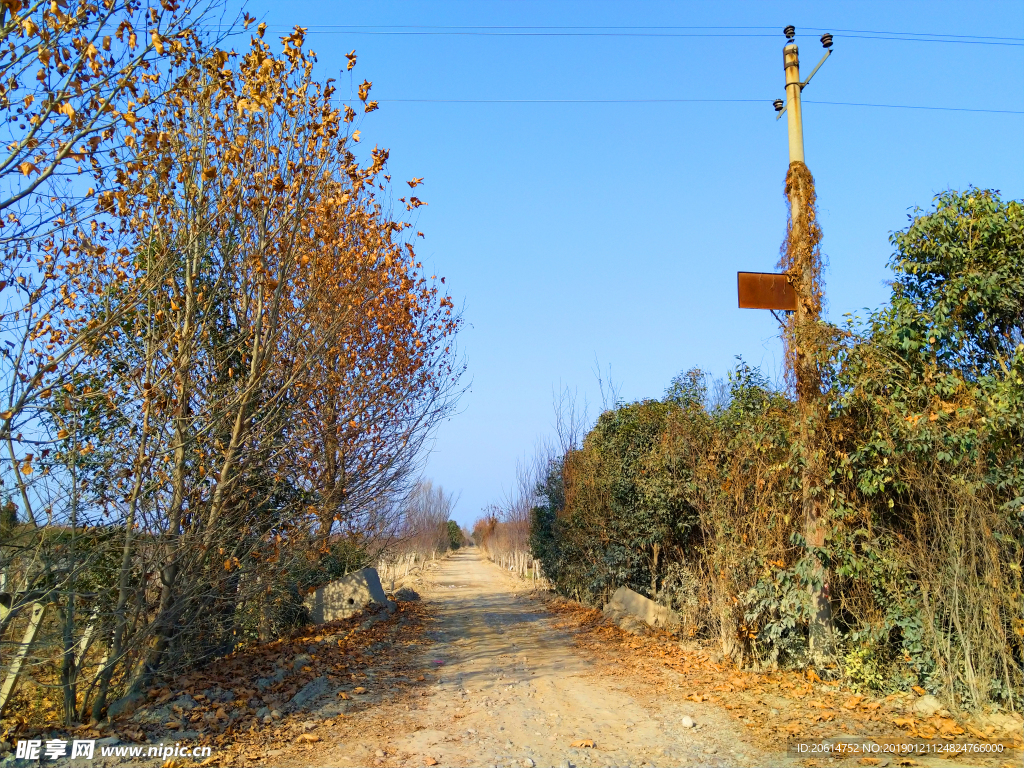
<point x="269" y="360"/>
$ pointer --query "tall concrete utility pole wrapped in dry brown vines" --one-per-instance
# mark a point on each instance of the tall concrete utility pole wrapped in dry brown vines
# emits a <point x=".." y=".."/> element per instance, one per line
<point x="803" y="272"/>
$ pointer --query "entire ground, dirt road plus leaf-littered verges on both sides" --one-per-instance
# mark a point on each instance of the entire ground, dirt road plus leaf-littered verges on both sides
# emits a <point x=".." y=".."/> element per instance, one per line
<point x="483" y="670"/>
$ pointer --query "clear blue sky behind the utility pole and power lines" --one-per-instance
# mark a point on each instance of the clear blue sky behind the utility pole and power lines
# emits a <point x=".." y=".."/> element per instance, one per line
<point x="614" y="232"/>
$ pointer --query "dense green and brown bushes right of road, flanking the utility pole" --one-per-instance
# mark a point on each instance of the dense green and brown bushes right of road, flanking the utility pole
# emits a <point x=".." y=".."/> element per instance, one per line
<point x="696" y="501"/>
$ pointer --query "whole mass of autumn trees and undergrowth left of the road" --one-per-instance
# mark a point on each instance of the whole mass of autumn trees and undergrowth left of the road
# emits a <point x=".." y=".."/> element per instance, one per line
<point x="221" y="356"/>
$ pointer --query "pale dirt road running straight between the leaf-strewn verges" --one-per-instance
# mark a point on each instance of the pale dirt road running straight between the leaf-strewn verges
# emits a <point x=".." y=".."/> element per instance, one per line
<point x="509" y="689"/>
